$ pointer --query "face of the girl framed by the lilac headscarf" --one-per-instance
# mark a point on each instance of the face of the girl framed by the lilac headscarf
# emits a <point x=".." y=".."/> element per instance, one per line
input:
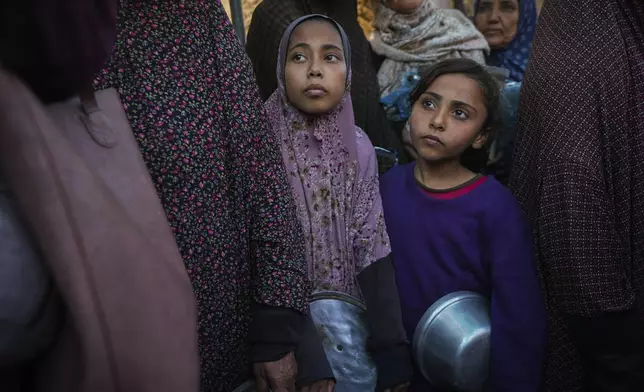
<point x="315" y="72"/>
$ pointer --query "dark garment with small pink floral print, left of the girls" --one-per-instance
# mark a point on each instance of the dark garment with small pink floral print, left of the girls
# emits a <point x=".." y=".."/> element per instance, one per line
<point x="191" y="98"/>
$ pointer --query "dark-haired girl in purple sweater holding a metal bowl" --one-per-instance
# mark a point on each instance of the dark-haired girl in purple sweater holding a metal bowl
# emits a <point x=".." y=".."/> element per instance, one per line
<point x="452" y="228"/>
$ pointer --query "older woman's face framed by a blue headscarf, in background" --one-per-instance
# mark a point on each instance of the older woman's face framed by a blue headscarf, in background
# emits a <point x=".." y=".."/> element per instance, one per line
<point x="498" y="20"/>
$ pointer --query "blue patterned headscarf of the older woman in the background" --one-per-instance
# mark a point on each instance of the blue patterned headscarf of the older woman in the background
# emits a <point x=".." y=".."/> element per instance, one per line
<point x="514" y="57"/>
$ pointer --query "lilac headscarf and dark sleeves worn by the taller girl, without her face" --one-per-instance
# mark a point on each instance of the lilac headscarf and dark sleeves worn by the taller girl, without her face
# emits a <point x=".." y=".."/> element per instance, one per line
<point x="333" y="172"/>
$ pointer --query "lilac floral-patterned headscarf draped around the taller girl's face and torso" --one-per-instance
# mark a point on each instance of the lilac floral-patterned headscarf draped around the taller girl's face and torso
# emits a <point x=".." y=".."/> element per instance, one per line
<point x="333" y="172"/>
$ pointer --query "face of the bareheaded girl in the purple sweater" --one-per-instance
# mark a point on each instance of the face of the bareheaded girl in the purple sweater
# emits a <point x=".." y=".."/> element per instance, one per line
<point x="448" y="118"/>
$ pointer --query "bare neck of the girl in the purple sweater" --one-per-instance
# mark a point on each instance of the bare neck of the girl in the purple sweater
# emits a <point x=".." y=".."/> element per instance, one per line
<point x="441" y="175"/>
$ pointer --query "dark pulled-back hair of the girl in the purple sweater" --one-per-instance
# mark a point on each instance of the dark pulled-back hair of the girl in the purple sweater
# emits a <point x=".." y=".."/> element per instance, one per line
<point x="473" y="159"/>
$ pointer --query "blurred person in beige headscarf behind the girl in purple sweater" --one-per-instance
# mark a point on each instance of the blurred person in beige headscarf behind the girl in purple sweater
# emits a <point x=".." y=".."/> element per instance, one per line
<point x="411" y="36"/>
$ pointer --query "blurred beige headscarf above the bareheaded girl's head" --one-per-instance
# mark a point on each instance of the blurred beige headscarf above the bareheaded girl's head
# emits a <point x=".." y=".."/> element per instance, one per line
<point x="423" y="38"/>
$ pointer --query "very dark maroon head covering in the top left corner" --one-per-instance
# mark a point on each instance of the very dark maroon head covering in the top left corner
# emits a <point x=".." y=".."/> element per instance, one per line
<point x="56" y="46"/>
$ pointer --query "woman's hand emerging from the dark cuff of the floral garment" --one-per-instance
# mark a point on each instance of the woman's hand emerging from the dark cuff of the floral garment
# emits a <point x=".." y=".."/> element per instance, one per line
<point x="278" y="376"/>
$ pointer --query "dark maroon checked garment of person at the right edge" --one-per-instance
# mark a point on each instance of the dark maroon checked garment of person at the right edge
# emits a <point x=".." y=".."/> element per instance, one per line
<point x="579" y="174"/>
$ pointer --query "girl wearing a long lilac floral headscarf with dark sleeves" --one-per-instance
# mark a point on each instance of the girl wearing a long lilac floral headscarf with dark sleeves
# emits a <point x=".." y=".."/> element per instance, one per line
<point x="334" y="175"/>
